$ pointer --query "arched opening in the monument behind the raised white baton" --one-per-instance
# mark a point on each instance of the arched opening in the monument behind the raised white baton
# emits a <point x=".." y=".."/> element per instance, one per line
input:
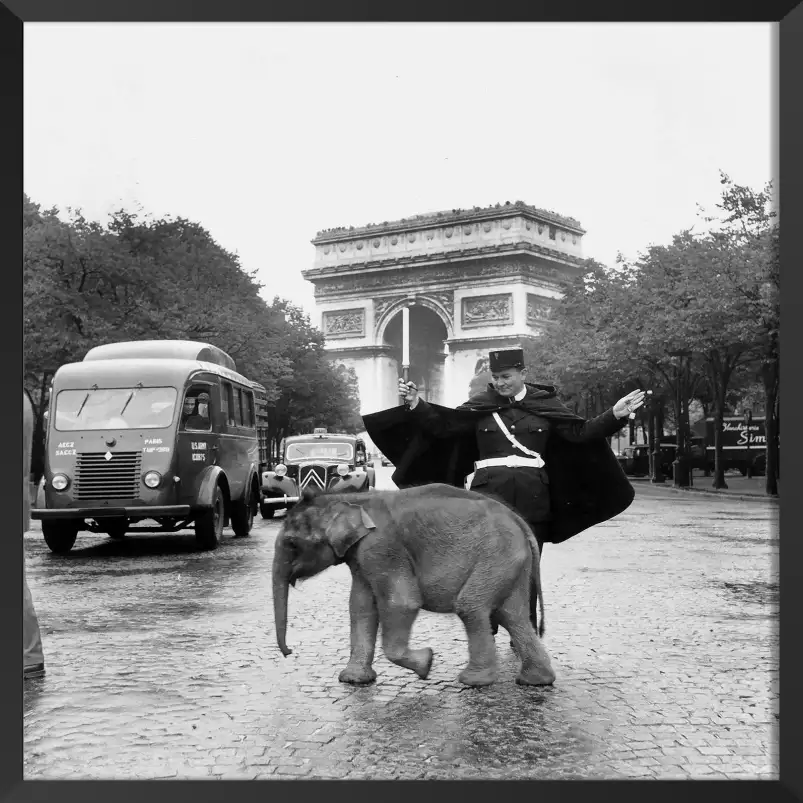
<point x="428" y="336"/>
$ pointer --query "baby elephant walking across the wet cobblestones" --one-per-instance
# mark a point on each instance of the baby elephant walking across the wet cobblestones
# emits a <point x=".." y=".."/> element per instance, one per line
<point x="434" y="547"/>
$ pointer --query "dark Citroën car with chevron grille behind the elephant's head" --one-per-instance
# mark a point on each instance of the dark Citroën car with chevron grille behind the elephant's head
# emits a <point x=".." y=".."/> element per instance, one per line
<point x="323" y="460"/>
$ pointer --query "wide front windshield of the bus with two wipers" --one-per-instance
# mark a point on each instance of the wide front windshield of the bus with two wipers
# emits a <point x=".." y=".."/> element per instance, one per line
<point x="115" y="408"/>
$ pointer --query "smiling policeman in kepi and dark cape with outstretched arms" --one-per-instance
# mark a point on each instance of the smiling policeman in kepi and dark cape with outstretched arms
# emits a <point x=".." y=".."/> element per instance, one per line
<point x="514" y="441"/>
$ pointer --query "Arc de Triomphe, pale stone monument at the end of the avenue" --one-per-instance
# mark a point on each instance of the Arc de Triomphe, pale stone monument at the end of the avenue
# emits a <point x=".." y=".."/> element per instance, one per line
<point x="474" y="281"/>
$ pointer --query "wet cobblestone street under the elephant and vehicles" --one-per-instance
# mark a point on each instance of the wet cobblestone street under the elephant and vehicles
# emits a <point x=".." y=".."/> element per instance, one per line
<point x="161" y="662"/>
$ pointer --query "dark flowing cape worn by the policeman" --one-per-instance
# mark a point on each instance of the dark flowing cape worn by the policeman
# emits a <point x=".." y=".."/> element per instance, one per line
<point x="586" y="483"/>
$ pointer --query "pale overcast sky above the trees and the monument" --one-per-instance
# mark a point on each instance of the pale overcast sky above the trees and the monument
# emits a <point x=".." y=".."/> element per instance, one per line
<point x="267" y="133"/>
